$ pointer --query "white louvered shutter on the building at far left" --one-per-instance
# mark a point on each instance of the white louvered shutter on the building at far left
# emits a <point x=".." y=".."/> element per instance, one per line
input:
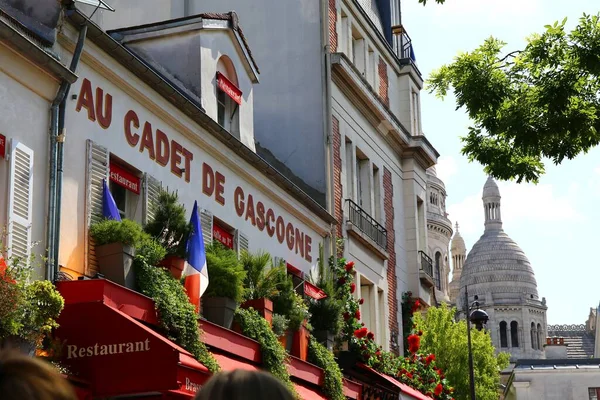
<point x="20" y="201"/>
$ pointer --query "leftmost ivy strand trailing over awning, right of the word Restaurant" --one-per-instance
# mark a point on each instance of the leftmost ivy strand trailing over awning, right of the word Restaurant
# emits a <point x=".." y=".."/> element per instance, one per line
<point x="177" y="315"/>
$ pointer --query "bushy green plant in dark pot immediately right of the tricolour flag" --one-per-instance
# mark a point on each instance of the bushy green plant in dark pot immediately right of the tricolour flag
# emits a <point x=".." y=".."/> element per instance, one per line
<point x="225" y="289"/>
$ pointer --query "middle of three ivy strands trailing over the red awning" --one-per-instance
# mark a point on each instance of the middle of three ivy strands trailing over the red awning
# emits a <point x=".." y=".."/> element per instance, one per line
<point x="273" y="354"/>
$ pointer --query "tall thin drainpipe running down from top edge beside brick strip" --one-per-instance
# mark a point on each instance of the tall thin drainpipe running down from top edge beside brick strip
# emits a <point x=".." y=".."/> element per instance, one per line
<point x="329" y="151"/>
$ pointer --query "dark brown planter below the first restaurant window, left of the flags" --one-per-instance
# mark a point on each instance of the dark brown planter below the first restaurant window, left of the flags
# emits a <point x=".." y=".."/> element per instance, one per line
<point x="115" y="262"/>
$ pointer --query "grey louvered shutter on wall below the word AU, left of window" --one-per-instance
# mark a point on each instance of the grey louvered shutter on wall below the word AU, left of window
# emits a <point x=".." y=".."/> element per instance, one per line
<point x="97" y="170"/>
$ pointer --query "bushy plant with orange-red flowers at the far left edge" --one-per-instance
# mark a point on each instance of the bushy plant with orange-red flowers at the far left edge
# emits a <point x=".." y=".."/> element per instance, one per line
<point x="28" y="309"/>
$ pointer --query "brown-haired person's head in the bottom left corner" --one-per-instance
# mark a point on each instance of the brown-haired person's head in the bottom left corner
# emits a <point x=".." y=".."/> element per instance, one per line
<point x="27" y="378"/>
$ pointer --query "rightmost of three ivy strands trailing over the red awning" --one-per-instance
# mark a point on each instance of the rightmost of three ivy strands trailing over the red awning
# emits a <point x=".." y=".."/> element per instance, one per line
<point x="324" y="359"/>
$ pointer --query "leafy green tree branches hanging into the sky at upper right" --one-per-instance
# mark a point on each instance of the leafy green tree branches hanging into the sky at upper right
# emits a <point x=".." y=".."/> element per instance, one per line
<point x="528" y="105"/>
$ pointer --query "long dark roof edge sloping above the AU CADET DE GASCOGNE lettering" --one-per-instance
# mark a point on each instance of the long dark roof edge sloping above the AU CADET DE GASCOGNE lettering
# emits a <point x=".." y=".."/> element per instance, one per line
<point x="189" y="107"/>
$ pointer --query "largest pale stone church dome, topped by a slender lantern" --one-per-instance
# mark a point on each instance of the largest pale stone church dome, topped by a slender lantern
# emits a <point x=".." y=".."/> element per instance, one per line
<point x="499" y="273"/>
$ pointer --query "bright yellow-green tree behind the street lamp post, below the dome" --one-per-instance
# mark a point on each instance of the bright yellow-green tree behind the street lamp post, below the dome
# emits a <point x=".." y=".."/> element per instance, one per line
<point x="447" y="339"/>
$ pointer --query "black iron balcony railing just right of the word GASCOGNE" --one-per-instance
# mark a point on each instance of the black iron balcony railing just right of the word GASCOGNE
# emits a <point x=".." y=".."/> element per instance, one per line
<point x="366" y="228"/>
